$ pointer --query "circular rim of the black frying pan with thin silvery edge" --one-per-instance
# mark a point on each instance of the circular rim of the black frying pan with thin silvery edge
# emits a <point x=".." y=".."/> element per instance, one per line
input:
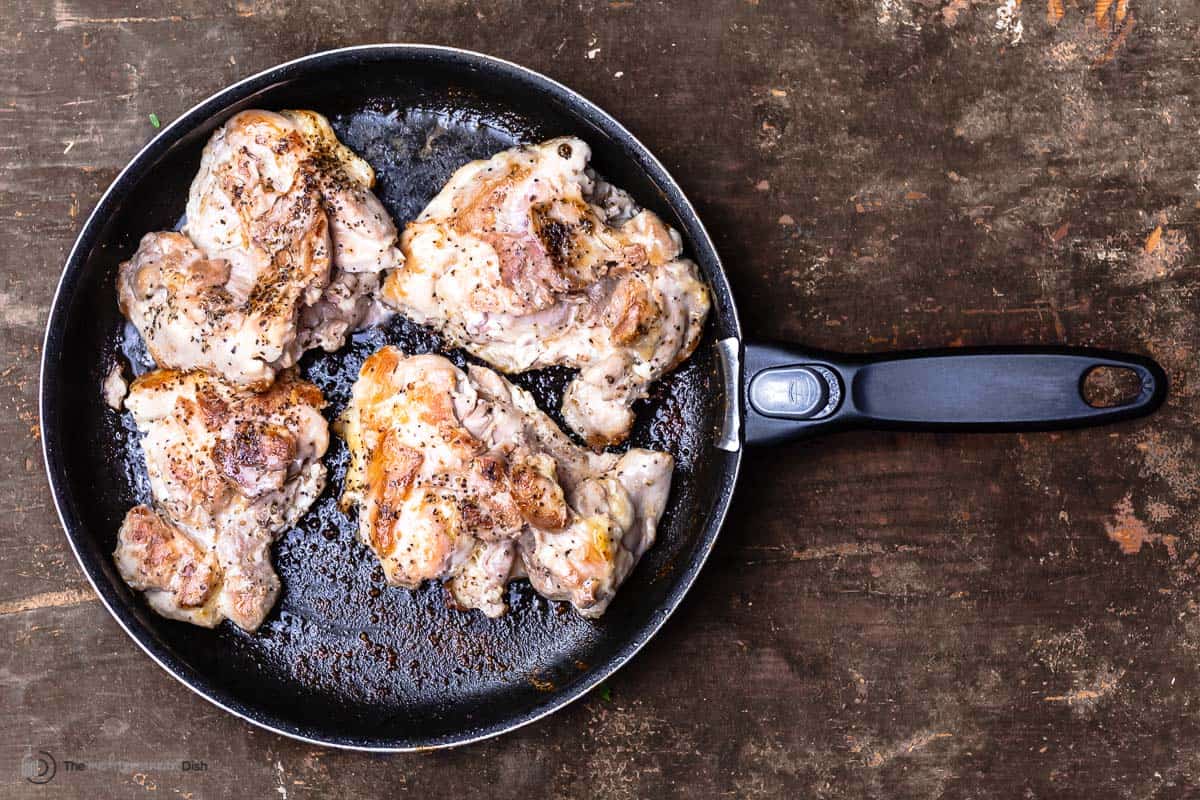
<point x="56" y="470"/>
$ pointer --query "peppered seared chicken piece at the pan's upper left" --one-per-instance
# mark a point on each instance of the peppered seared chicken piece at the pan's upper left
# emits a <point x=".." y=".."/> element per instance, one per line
<point x="284" y="251"/>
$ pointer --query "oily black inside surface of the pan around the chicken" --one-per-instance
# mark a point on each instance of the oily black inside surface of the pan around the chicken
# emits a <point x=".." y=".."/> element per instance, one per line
<point x="344" y="658"/>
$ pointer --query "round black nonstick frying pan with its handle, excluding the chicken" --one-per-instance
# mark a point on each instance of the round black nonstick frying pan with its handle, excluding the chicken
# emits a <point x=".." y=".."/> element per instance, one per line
<point x="346" y="661"/>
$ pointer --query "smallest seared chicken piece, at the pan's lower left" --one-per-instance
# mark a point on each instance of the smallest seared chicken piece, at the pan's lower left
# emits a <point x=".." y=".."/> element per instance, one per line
<point x="229" y="471"/>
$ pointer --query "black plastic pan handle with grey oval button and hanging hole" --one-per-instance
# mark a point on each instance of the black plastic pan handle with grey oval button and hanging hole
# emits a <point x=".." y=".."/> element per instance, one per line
<point x="791" y="394"/>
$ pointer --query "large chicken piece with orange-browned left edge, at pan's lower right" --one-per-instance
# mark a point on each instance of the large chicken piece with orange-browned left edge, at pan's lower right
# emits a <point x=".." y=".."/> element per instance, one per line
<point x="459" y="474"/>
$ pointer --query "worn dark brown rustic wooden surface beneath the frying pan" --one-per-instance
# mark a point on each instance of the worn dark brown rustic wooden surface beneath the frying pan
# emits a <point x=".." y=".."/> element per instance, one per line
<point x="886" y="616"/>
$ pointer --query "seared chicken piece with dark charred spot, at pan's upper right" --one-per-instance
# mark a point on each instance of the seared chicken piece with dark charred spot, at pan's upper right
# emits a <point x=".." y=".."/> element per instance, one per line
<point x="527" y="261"/>
